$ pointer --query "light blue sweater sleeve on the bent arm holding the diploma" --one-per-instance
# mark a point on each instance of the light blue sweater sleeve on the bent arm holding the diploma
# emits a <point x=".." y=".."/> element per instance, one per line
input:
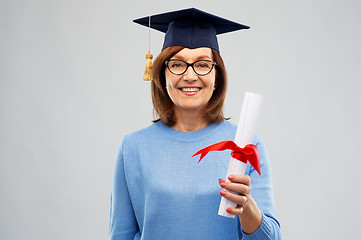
<point x="262" y="192"/>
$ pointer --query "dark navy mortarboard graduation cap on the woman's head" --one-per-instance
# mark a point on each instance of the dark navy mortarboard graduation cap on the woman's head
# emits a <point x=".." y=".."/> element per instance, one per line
<point x="191" y="28"/>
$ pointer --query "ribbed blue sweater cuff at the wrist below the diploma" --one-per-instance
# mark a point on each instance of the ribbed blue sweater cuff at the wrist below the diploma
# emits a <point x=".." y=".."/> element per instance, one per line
<point x="265" y="231"/>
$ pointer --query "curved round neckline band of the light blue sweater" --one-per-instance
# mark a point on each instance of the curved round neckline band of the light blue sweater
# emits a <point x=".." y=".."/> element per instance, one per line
<point x="187" y="136"/>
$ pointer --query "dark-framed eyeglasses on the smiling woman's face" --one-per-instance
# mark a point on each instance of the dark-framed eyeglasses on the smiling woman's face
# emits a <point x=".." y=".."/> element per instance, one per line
<point x="200" y="67"/>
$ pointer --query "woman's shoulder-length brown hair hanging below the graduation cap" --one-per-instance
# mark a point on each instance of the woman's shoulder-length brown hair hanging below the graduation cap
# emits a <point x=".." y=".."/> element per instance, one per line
<point x="163" y="105"/>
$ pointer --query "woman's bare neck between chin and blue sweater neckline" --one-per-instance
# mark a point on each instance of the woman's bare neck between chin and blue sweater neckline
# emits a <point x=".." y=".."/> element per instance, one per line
<point x="189" y="121"/>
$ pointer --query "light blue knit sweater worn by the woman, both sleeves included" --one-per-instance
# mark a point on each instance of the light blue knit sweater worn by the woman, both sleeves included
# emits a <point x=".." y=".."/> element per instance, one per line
<point x="160" y="192"/>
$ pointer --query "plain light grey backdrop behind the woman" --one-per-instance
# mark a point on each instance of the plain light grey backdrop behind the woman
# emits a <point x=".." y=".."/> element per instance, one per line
<point x="71" y="87"/>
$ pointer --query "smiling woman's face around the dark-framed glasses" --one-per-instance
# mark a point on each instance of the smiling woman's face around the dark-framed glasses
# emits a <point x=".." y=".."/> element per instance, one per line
<point x="190" y="91"/>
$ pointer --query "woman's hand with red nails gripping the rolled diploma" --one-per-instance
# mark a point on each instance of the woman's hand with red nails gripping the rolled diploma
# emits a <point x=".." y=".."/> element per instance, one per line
<point x="249" y="214"/>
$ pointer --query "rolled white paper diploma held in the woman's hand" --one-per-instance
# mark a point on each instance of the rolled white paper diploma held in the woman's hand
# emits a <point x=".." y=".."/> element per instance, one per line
<point x="244" y="135"/>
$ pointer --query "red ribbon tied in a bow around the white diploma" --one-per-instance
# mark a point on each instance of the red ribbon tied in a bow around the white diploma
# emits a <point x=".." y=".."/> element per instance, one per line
<point x="248" y="153"/>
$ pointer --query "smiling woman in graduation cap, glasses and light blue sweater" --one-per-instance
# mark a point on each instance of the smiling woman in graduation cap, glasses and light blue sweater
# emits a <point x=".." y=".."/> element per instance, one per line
<point x="159" y="190"/>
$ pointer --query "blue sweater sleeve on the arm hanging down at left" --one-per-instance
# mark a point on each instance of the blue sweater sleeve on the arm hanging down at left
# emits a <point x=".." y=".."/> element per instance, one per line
<point x="123" y="224"/>
